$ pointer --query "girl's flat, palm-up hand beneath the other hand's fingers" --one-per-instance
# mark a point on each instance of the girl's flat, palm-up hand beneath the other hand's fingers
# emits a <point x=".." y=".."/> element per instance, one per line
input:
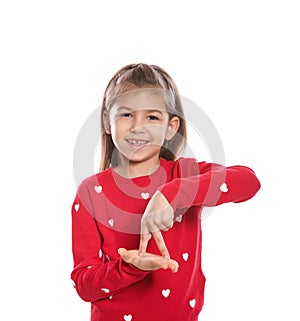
<point x="148" y="262"/>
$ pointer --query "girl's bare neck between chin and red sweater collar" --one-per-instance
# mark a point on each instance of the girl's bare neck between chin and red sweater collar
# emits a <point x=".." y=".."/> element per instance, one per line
<point x="135" y="169"/>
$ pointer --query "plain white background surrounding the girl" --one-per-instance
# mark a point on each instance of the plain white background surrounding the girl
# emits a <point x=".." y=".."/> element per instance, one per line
<point x="239" y="60"/>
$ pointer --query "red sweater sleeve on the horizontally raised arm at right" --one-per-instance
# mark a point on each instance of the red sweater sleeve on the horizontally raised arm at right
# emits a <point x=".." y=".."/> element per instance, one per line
<point x="213" y="185"/>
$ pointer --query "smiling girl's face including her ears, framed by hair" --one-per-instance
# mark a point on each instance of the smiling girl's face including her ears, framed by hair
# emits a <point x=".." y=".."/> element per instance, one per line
<point x="139" y="123"/>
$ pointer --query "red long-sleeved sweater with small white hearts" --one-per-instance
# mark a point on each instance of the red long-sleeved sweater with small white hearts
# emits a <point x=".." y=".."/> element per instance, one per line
<point x="106" y="215"/>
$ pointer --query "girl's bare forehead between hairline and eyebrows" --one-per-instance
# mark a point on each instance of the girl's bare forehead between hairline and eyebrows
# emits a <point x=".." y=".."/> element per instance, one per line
<point x="140" y="99"/>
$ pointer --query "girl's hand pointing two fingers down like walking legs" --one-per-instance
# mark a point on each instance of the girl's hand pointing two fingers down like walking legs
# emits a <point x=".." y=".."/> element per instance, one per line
<point x="158" y="216"/>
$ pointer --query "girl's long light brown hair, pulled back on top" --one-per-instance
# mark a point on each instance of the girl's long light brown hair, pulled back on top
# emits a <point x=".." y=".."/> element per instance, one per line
<point x="140" y="76"/>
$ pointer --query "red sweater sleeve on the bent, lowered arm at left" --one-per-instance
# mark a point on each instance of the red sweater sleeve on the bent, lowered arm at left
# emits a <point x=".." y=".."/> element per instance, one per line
<point x="93" y="278"/>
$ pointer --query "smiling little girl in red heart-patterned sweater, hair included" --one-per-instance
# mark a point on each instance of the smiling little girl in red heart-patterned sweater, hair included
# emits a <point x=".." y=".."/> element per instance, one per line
<point x="136" y="224"/>
